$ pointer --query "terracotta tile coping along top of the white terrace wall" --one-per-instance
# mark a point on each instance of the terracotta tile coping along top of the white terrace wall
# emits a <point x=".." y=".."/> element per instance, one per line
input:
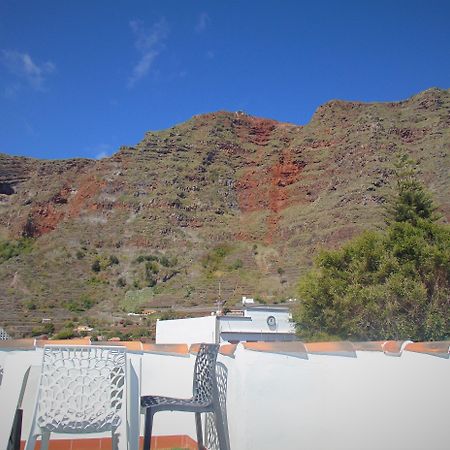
<point x="342" y="348"/>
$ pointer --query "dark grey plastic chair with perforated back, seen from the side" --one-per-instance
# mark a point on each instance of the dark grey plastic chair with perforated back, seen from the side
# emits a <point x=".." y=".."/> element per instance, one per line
<point x="205" y="398"/>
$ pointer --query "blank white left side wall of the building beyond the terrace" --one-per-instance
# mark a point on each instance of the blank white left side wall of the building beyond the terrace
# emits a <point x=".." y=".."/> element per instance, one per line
<point x="189" y="331"/>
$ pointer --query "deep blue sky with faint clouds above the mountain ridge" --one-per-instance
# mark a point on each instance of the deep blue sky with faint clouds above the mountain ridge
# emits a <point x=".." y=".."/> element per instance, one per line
<point x="80" y="78"/>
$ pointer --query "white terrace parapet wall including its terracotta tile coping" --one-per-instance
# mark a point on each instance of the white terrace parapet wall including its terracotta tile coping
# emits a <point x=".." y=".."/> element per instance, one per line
<point x="286" y="395"/>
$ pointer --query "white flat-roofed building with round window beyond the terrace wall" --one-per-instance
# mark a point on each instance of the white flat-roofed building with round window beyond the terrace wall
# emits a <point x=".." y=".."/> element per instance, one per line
<point x="258" y="323"/>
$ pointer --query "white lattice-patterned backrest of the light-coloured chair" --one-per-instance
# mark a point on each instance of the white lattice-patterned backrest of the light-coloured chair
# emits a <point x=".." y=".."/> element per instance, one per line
<point x="81" y="388"/>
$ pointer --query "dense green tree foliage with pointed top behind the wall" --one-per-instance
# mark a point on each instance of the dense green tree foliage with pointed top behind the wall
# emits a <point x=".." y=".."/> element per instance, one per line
<point x="393" y="284"/>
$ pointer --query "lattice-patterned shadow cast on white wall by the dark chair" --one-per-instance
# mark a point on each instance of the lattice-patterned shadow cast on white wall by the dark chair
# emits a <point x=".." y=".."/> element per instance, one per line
<point x="211" y="435"/>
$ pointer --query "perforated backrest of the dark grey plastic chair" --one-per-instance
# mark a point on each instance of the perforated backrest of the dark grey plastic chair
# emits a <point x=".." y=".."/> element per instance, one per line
<point x="205" y="384"/>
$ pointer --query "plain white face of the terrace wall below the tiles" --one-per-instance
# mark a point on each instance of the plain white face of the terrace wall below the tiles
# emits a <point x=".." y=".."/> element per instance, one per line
<point x="368" y="402"/>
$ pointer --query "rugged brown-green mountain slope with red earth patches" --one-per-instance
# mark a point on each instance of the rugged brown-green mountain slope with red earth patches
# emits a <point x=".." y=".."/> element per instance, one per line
<point x="224" y="198"/>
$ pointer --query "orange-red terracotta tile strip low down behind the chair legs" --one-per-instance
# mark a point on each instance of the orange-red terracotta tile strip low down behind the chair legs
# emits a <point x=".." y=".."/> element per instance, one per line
<point x="158" y="442"/>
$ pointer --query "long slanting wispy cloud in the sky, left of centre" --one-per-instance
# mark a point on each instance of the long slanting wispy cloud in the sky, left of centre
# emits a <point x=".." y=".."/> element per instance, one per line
<point x="149" y="43"/>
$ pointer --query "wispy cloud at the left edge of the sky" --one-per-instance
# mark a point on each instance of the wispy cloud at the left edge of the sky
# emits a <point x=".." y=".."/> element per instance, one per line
<point x="23" y="68"/>
